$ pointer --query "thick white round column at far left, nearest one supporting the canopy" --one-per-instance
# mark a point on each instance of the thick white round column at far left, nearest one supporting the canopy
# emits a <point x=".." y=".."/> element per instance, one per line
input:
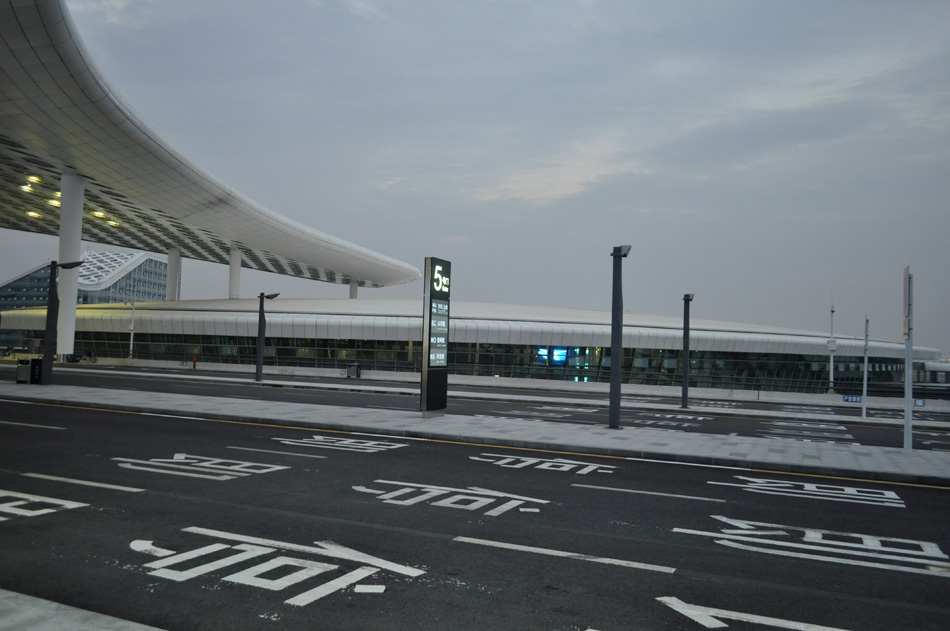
<point x="73" y="188"/>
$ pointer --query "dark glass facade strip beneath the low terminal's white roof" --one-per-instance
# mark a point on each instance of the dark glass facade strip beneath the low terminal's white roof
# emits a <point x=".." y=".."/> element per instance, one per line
<point x="746" y="371"/>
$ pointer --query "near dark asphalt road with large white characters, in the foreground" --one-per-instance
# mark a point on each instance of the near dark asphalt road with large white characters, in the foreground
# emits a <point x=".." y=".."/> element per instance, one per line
<point x="214" y="525"/>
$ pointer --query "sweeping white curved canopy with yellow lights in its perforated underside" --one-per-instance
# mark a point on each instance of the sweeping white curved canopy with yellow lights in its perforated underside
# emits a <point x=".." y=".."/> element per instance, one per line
<point x="58" y="114"/>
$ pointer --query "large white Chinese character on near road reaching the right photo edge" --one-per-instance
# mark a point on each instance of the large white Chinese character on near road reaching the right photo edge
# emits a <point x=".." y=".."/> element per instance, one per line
<point x="901" y="554"/>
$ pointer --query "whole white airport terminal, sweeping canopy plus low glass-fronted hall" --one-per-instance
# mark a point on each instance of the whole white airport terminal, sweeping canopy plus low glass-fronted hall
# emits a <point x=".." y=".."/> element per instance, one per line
<point x="76" y="161"/>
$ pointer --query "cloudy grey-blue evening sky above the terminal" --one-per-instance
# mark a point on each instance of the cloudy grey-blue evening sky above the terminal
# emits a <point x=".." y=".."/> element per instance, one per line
<point x="772" y="158"/>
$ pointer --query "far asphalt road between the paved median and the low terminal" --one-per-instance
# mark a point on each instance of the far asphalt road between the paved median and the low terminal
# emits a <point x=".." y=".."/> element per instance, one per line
<point x="843" y="427"/>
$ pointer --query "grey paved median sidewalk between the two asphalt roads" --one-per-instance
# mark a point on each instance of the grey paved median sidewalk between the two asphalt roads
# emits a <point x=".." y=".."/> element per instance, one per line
<point x="796" y="456"/>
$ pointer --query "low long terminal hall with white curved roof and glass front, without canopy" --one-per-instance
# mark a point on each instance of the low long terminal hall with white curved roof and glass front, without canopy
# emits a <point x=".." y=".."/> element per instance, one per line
<point x="511" y="341"/>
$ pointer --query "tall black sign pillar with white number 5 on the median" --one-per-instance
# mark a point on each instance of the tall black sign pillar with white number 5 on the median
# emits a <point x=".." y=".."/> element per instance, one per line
<point x="435" y="335"/>
